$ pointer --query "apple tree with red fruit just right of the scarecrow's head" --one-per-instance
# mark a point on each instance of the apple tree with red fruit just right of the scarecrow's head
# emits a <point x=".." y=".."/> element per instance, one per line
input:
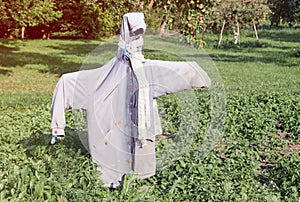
<point x="185" y="16"/>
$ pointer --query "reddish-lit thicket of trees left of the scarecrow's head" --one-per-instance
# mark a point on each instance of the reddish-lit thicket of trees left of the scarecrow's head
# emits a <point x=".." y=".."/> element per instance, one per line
<point x="78" y="18"/>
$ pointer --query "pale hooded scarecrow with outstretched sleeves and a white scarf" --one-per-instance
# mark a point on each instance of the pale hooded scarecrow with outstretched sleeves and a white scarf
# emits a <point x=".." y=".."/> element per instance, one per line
<point x="119" y="99"/>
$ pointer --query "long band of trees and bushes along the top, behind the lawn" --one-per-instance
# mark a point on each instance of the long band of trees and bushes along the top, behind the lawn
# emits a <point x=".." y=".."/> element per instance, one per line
<point x="94" y="19"/>
